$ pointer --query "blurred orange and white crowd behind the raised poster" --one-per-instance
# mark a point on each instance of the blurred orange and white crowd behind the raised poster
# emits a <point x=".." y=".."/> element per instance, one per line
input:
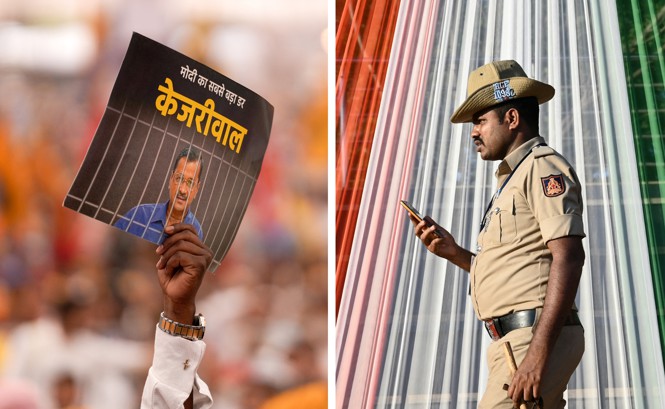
<point x="79" y="299"/>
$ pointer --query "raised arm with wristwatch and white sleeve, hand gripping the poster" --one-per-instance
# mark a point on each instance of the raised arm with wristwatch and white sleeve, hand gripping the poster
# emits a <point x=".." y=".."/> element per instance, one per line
<point x="183" y="260"/>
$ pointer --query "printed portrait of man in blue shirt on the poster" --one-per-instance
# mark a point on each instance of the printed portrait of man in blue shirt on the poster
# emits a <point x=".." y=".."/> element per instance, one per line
<point x="149" y="220"/>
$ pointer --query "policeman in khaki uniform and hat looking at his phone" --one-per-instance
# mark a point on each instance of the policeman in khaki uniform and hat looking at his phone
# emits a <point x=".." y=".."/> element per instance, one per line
<point x="527" y="265"/>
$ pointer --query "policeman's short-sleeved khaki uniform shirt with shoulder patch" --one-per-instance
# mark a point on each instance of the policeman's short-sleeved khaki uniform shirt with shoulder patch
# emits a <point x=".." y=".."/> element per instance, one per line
<point x="541" y="201"/>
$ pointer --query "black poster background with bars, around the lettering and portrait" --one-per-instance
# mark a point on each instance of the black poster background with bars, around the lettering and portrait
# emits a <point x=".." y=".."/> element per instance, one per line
<point x="130" y="159"/>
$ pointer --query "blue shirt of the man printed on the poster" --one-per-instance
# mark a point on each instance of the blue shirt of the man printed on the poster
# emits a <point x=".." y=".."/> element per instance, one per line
<point x="149" y="220"/>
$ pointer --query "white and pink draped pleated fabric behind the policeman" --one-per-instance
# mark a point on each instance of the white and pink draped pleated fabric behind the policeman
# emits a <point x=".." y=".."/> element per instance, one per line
<point x="407" y="336"/>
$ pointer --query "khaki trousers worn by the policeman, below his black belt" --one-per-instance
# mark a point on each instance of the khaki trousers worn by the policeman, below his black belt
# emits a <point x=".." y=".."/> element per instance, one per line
<point x="566" y="355"/>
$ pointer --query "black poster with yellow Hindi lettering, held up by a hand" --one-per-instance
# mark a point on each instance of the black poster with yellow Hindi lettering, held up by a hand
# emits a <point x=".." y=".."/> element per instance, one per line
<point x="178" y="142"/>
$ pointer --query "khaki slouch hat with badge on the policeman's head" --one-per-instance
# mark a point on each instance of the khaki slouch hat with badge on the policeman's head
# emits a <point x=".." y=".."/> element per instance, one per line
<point x="495" y="83"/>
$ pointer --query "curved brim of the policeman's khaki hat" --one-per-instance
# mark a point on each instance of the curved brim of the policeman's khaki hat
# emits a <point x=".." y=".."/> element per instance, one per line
<point x="485" y="97"/>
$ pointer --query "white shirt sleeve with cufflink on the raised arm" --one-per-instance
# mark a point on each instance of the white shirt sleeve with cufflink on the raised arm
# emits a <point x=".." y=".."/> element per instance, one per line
<point x="173" y="374"/>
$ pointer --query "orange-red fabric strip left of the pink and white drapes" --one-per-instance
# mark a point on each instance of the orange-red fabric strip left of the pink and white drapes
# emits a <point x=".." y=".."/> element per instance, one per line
<point x="364" y="37"/>
